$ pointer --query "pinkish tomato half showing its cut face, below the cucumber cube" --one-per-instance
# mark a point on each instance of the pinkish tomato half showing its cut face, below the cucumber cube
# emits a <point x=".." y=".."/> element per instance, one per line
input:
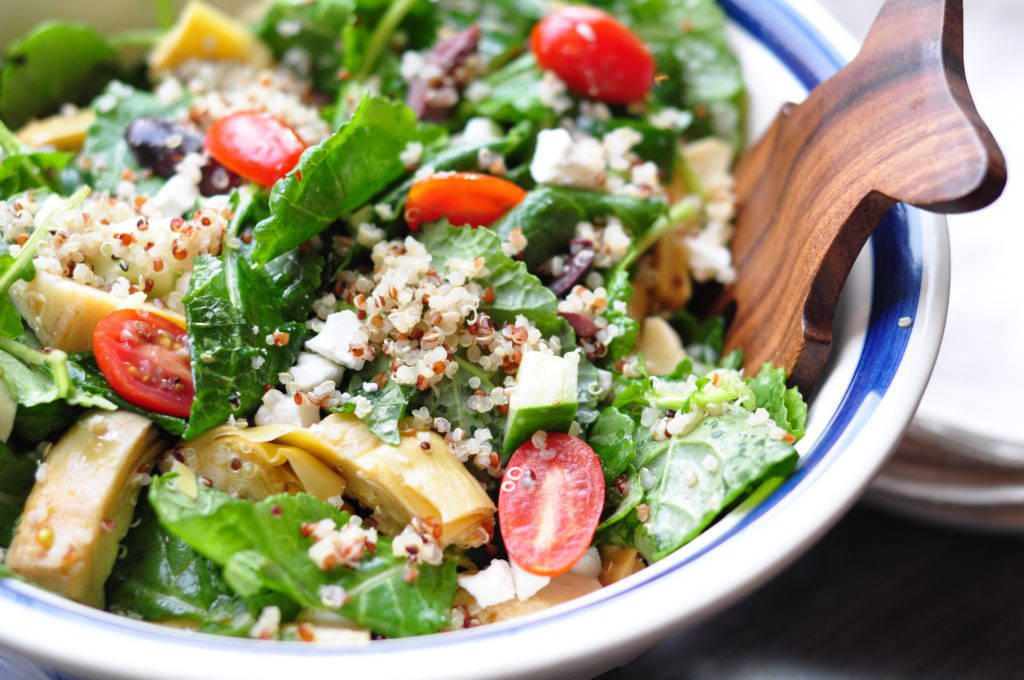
<point x="550" y="504"/>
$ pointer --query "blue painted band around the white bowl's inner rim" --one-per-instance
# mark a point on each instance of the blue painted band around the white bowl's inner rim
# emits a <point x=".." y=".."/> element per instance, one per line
<point x="897" y="284"/>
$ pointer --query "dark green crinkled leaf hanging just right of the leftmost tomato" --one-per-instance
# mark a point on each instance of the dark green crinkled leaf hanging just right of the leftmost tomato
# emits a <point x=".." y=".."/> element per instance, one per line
<point x="230" y="318"/>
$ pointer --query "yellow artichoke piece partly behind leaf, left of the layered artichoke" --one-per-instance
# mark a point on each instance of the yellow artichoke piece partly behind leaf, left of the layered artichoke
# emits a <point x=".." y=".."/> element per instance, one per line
<point x="248" y="465"/>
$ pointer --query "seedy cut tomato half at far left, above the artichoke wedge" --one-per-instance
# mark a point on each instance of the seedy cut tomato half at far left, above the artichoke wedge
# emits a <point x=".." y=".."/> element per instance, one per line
<point x="146" y="359"/>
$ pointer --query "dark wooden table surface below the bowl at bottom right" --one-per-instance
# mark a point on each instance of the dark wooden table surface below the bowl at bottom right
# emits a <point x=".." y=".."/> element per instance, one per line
<point x="879" y="598"/>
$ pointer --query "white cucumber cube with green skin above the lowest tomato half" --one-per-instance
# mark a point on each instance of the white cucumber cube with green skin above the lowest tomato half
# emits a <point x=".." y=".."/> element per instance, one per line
<point x="544" y="398"/>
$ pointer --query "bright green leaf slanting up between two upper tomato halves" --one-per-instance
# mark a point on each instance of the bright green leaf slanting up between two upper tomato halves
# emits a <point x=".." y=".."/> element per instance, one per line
<point x="339" y="176"/>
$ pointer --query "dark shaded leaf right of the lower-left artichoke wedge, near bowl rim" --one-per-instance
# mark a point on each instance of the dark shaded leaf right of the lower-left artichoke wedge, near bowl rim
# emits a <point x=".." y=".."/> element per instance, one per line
<point x="161" y="578"/>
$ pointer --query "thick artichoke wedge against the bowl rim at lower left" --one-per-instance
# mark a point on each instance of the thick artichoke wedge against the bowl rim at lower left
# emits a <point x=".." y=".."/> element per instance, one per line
<point x="82" y="504"/>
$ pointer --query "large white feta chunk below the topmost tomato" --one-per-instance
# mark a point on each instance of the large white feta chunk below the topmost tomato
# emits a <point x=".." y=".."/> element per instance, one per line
<point x="560" y="160"/>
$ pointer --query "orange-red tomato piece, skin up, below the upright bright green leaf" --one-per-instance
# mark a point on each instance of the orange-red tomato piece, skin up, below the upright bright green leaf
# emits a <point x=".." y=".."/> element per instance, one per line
<point x="462" y="199"/>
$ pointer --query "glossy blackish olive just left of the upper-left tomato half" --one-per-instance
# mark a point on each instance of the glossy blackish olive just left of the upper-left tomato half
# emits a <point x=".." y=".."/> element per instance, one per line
<point x="160" y="145"/>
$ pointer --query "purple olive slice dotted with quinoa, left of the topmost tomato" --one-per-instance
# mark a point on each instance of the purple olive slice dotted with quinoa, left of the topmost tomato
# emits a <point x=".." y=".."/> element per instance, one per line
<point x="435" y="97"/>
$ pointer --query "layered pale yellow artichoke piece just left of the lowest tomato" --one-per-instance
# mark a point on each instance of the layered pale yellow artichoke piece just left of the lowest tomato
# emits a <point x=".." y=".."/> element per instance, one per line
<point x="404" y="482"/>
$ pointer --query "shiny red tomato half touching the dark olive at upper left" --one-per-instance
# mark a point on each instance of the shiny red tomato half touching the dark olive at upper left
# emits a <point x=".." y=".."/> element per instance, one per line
<point x="257" y="146"/>
